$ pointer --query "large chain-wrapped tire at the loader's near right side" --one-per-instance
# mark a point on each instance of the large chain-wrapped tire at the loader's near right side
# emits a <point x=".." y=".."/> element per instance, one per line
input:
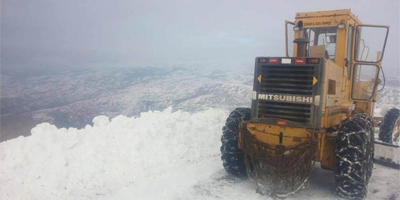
<point x="354" y="154"/>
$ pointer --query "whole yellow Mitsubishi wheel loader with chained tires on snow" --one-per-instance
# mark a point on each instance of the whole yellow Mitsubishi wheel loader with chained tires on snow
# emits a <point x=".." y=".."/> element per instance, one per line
<point x="314" y="105"/>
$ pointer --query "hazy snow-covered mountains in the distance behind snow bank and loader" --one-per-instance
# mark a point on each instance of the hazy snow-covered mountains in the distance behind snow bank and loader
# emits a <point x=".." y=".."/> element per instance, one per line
<point x="73" y="98"/>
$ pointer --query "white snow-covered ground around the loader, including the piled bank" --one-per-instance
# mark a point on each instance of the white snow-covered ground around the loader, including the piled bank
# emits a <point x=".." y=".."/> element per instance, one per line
<point x="158" y="155"/>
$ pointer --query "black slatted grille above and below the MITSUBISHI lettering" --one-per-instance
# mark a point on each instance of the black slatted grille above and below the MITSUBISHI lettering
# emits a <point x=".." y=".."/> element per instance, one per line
<point x="287" y="80"/>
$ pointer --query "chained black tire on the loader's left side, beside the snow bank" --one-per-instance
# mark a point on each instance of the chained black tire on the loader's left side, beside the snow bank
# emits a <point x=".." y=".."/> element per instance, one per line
<point x="233" y="157"/>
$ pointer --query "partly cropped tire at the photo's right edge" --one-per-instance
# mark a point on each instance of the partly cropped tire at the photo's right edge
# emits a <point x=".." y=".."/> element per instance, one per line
<point x="387" y="131"/>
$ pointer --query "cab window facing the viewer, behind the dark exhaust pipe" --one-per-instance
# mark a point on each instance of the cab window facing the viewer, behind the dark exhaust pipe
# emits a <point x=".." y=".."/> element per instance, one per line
<point x="322" y="42"/>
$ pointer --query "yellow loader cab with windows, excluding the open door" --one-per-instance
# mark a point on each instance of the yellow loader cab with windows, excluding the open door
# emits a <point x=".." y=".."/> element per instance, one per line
<point x="326" y="32"/>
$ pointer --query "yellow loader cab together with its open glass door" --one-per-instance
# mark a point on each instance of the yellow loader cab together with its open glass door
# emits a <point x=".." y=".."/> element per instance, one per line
<point x="339" y="37"/>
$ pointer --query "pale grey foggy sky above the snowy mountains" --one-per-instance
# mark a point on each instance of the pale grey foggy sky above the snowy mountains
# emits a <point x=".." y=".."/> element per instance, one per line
<point x="39" y="34"/>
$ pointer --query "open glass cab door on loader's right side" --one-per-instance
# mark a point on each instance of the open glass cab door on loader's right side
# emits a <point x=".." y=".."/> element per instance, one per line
<point x="369" y="47"/>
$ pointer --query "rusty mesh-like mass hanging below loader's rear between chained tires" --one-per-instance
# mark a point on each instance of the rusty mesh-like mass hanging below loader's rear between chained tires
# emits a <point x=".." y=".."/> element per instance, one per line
<point x="278" y="170"/>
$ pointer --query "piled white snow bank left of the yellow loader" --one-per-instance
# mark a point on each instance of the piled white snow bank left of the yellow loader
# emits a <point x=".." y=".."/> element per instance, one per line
<point x="88" y="163"/>
